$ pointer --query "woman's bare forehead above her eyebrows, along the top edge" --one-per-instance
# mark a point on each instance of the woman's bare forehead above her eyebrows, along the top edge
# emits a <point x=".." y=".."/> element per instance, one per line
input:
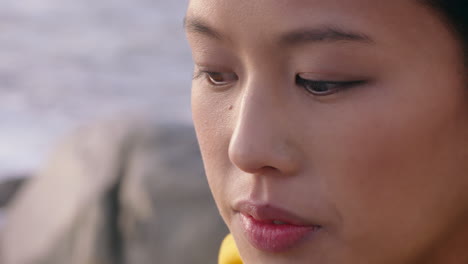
<point x="251" y="20"/>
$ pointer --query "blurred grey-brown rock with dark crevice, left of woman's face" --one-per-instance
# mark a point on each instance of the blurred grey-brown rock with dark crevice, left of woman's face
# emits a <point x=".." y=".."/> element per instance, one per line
<point x="117" y="192"/>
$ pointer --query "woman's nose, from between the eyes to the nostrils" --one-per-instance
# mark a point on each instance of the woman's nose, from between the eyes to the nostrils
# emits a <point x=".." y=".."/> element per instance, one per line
<point x="262" y="139"/>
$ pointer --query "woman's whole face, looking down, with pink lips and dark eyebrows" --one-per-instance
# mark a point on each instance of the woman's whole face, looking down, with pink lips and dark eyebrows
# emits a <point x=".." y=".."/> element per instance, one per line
<point x="333" y="131"/>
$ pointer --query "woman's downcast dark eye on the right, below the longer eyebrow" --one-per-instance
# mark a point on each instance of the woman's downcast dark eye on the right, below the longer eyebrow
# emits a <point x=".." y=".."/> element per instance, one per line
<point x="322" y="87"/>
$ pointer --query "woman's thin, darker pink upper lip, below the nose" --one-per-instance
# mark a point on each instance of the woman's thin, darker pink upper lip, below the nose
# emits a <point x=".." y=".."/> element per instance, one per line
<point x="266" y="212"/>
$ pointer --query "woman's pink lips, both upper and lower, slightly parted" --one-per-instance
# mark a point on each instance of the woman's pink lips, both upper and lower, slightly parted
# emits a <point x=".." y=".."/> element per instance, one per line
<point x="272" y="229"/>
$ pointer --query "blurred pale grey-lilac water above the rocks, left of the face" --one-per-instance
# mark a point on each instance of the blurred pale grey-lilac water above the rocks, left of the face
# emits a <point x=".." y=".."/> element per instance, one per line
<point x="67" y="62"/>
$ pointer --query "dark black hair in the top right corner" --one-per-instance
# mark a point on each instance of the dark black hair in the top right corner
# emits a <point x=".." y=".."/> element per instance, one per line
<point x="455" y="13"/>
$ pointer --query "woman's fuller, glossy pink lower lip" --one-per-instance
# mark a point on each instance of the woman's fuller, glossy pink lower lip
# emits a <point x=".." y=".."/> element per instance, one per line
<point x="274" y="238"/>
